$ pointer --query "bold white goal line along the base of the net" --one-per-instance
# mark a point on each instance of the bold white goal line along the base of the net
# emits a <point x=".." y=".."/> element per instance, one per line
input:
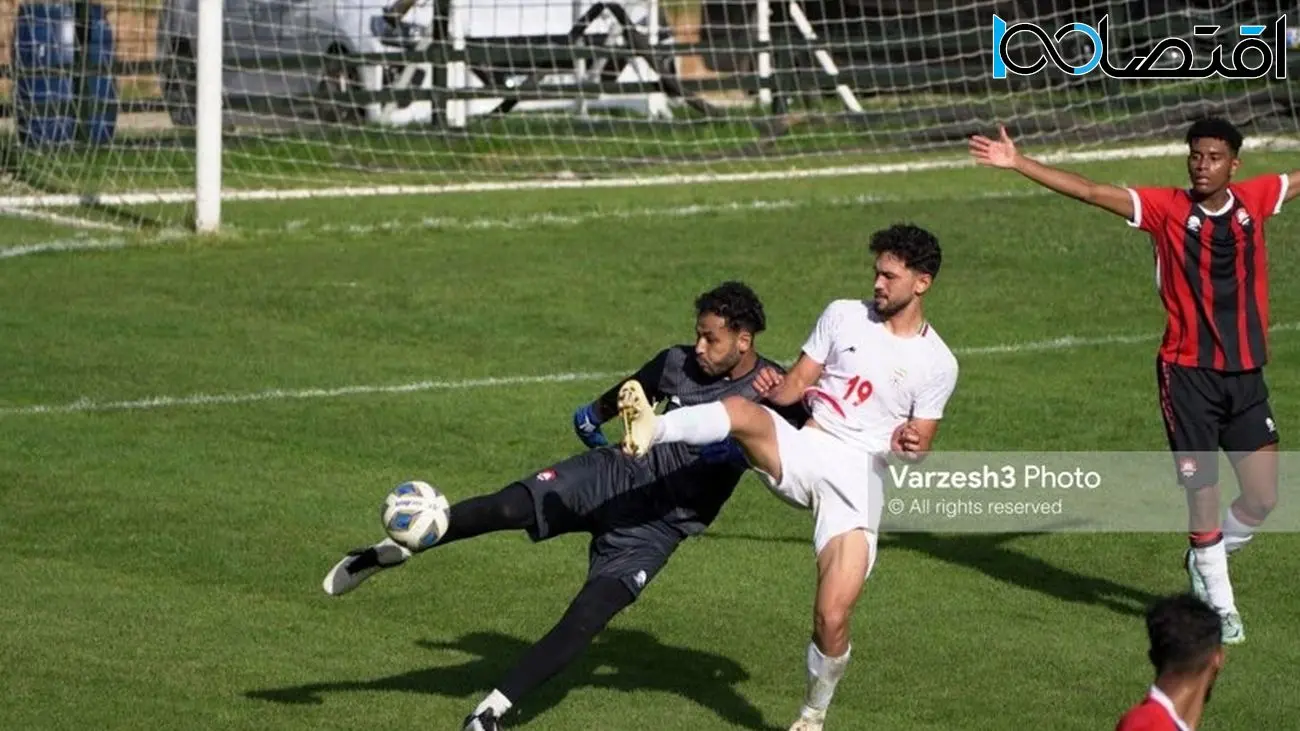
<point x="570" y="184"/>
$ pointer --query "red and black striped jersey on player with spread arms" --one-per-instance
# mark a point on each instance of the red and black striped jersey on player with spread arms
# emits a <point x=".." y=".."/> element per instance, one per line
<point x="1212" y="272"/>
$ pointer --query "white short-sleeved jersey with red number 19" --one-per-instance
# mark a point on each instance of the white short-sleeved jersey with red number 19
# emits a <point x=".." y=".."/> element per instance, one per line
<point x="874" y="380"/>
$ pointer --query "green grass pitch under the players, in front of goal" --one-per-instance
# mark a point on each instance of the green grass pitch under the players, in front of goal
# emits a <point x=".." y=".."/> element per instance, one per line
<point x="163" y="563"/>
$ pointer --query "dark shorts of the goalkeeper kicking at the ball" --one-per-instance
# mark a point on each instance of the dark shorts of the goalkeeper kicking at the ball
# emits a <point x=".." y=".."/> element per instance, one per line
<point x="600" y="492"/>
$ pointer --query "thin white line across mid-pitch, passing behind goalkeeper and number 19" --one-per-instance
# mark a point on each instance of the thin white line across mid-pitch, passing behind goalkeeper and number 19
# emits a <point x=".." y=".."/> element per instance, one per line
<point x="289" y="395"/>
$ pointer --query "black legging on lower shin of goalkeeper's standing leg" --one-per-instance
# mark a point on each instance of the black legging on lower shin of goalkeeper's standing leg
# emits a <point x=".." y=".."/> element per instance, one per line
<point x="591" y="611"/>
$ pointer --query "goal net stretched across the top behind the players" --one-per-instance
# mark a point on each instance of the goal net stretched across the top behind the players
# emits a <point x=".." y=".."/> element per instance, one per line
<point x="101" y="102"/>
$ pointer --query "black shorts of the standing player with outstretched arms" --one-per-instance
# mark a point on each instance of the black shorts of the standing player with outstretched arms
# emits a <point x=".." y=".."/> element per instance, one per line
<point x="1207" y="412"/>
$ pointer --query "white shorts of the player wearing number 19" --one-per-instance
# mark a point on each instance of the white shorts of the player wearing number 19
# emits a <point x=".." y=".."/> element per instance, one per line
<point x="842" y="486"/>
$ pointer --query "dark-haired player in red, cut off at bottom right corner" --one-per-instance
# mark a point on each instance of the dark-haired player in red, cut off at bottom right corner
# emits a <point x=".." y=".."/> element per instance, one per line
<point x="1188" y="652"/>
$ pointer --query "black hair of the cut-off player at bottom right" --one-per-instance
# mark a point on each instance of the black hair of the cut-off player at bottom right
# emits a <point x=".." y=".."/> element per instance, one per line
<point x="1184" y="633"/>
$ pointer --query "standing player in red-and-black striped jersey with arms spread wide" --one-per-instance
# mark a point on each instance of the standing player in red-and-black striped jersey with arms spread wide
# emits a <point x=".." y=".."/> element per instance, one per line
<point x="1212" y="276"/>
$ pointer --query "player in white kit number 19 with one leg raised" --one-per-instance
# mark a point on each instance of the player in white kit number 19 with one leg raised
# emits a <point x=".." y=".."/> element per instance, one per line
<point x="876" y="378"/>
